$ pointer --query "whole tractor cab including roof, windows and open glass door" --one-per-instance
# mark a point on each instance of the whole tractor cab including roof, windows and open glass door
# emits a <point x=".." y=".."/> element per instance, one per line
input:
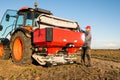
<point x="24" y="17"/>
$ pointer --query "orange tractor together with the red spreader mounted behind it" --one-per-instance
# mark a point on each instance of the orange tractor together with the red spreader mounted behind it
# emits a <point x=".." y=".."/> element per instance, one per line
<point x="35" y="34"/>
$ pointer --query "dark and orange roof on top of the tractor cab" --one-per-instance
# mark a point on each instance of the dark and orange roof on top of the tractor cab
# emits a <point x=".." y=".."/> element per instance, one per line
<point x="23" y="9"/>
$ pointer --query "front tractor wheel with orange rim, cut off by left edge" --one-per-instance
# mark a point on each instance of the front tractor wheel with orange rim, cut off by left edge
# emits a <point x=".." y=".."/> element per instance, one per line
<point x="4" y="50"/>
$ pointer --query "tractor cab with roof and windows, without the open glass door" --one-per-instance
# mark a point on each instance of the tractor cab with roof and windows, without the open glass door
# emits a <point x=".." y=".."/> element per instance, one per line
<point x="29" y="15"/>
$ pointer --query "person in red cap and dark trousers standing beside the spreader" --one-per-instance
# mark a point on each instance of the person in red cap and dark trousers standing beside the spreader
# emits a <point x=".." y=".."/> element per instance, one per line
<point x="87" y="47"/>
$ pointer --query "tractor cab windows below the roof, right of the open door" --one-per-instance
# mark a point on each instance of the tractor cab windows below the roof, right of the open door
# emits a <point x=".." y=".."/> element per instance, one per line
<point x="27" y="18"/>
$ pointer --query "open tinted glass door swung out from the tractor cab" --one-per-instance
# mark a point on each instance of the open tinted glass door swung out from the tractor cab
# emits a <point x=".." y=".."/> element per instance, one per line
<point x="8" y="23"/>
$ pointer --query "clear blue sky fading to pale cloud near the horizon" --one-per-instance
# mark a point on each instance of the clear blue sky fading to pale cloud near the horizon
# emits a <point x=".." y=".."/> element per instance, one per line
<point x="102" y="15"/>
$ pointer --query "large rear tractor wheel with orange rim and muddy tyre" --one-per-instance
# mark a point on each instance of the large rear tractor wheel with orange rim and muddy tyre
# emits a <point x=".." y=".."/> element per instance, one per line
<point x="21" y="49"/>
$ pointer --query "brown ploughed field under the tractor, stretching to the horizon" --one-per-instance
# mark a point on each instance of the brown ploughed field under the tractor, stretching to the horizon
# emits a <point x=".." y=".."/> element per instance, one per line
<point x="105" y="66"/>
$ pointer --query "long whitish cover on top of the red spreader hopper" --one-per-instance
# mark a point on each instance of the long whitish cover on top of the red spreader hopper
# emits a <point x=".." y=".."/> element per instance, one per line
<point x="56" y="21"/>
